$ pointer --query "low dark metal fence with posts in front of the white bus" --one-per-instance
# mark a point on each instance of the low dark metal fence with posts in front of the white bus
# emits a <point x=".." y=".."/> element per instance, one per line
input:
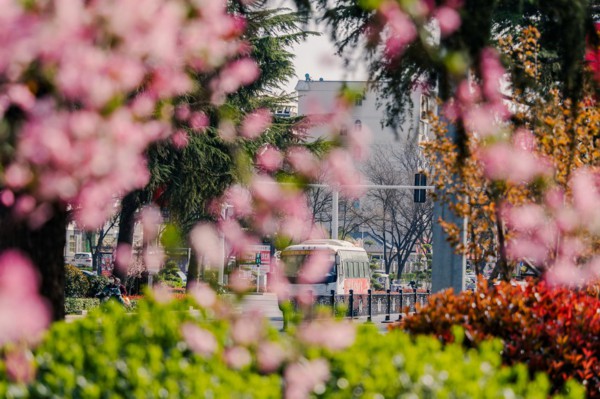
<point x="370" y="304"/>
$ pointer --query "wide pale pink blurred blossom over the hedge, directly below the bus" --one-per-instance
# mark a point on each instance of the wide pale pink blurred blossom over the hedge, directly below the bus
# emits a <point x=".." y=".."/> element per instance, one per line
<point x="329" y="334"/>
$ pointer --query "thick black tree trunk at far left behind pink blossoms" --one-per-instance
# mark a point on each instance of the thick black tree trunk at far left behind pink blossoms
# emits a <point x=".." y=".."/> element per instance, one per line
<point x="45" y="248"/>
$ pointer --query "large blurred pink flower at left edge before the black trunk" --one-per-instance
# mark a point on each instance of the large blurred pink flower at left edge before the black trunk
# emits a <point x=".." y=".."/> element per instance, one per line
<point x="24" y="314"/>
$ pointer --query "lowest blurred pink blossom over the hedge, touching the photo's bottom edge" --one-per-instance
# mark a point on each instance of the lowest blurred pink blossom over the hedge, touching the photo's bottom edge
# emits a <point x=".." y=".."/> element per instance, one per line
<point x="303" y="377"/>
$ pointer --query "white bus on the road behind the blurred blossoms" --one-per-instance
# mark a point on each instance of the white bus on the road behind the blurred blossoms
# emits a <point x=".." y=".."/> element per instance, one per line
<point x="349" y="267"/>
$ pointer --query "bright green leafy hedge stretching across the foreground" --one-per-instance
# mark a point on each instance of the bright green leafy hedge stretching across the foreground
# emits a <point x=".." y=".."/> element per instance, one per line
<point x="112" y="354"/>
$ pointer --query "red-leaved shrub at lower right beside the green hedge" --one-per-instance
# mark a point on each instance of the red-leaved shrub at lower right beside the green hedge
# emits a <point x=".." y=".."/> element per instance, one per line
<point x="551" y="329"/>
